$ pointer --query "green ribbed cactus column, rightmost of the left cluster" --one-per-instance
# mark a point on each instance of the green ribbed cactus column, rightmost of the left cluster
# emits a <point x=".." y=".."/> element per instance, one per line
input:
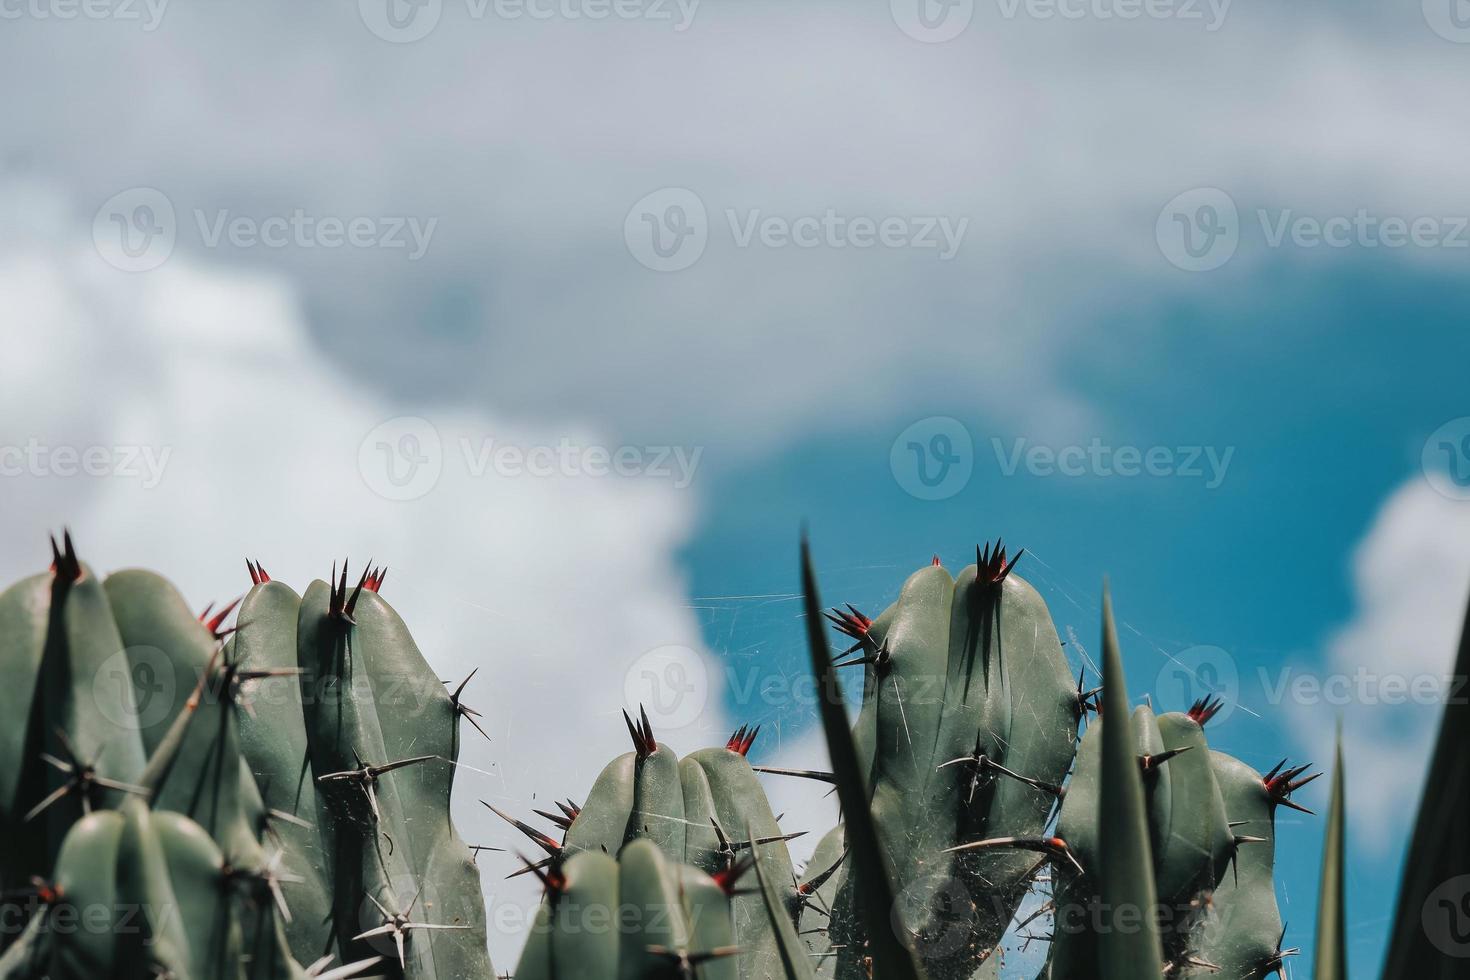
<point x="381" y="729"/>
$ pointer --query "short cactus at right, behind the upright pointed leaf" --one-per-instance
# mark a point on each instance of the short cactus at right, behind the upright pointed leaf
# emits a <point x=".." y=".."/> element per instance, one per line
<point x="1202" y="815"/>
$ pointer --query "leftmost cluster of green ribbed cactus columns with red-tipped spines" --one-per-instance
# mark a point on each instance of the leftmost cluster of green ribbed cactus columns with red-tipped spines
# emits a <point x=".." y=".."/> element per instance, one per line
<point x="274" y="819"/>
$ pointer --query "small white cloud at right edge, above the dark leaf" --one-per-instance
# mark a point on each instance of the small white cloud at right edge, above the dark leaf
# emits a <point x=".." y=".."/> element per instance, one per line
<point x="1410" y="575"/>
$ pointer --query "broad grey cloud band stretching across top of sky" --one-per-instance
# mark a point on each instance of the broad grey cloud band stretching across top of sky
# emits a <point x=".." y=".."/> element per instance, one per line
<point x="1059" y="139"/>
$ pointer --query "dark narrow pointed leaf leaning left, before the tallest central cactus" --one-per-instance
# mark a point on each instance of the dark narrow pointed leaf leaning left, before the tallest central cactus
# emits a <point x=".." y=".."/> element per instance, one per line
<point x="872" y="876"/>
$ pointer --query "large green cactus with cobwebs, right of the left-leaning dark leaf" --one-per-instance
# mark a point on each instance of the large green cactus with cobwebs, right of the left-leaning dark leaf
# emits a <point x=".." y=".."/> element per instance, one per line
<point x="967" y="731"/>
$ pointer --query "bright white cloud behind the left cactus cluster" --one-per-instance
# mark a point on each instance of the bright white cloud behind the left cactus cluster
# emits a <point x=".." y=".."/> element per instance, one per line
<point x="552" y="587"/>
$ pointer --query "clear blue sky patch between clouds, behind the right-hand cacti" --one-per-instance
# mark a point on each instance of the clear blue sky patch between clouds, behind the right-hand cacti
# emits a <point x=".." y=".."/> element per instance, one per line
<point x="1309" y="387"/>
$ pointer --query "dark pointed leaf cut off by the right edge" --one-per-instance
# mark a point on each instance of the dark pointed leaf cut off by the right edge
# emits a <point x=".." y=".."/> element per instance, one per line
<point x="1435" y="884"/>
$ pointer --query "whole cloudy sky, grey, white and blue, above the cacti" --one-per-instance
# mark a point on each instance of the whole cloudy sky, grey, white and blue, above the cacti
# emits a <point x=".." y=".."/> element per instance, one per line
<point x="573" y="312"/>
